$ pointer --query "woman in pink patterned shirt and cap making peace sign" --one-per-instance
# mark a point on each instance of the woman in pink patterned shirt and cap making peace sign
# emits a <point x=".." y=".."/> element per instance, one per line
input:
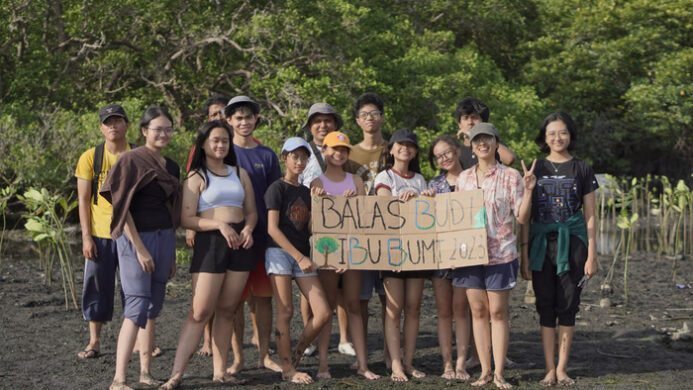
<point x="487" y="287"/>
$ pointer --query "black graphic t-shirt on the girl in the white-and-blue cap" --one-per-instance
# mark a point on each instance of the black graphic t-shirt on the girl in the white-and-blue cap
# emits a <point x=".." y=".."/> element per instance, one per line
<point x="293" y="204"/>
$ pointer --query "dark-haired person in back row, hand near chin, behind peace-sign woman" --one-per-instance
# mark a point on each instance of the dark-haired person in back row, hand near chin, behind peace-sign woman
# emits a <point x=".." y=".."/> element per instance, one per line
<point x="468" y="113"/>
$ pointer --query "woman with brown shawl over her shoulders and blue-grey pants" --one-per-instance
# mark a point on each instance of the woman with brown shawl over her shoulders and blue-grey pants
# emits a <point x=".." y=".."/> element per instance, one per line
<point x="144" y="189"/>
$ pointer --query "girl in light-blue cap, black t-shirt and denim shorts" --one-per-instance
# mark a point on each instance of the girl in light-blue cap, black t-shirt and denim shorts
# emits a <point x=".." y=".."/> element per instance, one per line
<point x="288" y="257"/>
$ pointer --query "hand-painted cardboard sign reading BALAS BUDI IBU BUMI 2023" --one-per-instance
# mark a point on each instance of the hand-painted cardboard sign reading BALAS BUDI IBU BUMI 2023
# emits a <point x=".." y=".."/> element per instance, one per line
<point x="384" y="233"/>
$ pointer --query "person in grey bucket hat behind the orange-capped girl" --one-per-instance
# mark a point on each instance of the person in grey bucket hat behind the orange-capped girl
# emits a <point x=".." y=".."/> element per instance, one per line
<point x="321" y="120"/>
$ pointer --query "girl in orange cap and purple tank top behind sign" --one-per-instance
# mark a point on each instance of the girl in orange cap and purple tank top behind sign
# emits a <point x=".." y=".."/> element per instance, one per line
<point x="336" y="182"/>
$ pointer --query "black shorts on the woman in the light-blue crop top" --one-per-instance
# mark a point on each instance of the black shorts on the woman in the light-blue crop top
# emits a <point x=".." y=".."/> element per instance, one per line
<point x="211" y="253"/>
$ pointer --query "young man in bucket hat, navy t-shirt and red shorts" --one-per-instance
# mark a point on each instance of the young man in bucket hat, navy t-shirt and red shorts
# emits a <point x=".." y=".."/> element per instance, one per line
<point x="262" y="165"/>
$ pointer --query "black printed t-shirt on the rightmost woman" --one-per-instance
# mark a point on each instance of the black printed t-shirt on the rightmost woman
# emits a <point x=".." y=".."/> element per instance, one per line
<point x="560" y="189"/>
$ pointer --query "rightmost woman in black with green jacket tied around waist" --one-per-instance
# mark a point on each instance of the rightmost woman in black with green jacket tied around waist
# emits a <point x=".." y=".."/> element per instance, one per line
<point x="559" y="253"/>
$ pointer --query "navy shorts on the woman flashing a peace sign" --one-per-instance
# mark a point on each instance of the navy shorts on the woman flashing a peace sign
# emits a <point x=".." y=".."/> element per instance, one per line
<point x="497" y="277"/>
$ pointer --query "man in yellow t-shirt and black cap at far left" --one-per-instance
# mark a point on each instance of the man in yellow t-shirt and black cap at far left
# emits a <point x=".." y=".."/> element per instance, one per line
<point x="95" y="220"/>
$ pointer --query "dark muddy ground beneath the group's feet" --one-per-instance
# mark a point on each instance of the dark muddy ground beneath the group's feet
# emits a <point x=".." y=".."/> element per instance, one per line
<point x="624" y="346"/>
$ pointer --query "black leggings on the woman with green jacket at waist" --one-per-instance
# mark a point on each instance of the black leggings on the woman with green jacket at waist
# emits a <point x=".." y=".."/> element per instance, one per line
<point x="558" y="296"/>
